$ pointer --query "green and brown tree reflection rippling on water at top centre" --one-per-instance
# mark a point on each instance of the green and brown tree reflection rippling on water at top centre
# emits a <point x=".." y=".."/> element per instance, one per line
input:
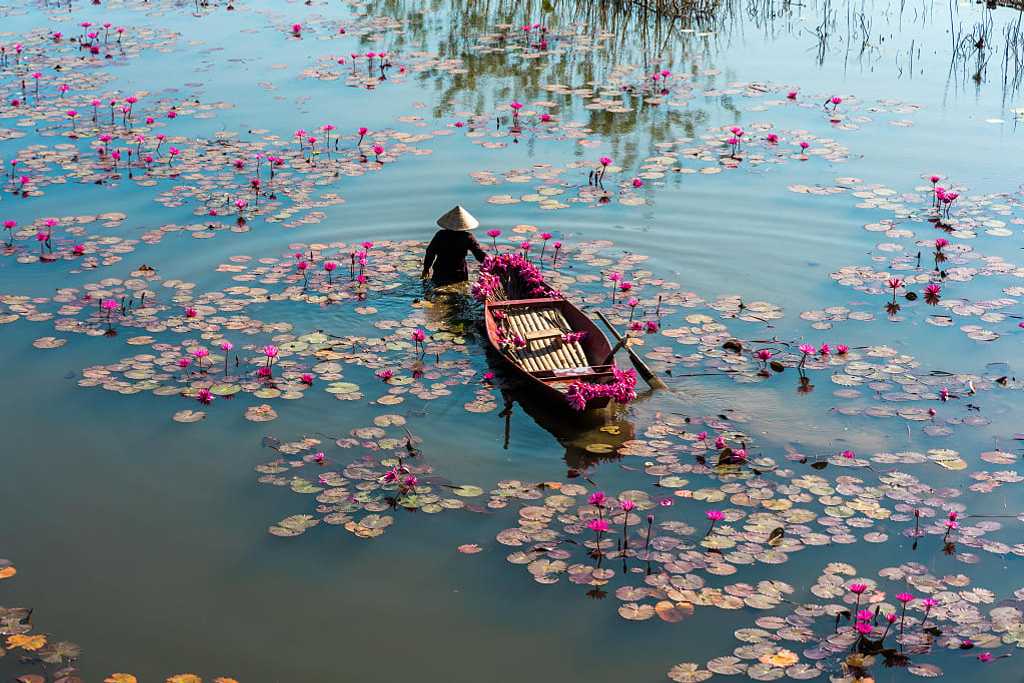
<point x="648" y="40"/>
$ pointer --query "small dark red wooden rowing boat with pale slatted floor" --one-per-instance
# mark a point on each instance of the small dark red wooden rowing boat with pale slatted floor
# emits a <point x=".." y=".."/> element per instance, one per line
<point x="554" y="357"/>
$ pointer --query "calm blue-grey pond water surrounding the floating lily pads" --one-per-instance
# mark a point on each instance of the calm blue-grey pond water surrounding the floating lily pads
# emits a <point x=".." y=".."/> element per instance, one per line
<point x="145" y="541"/>
